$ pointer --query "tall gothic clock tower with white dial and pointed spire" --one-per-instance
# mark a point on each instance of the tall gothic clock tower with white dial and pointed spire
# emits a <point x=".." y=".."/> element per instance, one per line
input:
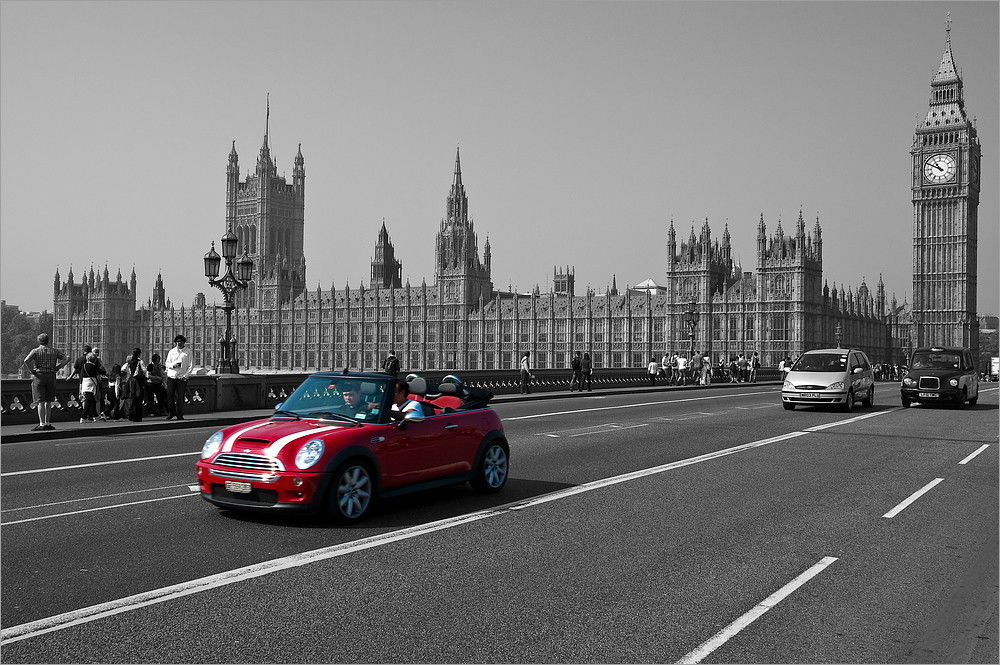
<point x="945" y="193"/>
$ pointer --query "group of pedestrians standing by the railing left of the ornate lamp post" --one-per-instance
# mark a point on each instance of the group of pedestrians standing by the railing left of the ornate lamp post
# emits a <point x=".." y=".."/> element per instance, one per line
<point x="125" y="391"/>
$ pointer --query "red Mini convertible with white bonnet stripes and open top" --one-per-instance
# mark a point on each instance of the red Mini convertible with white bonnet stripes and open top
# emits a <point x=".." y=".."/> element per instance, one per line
<point x="338" y="444"/>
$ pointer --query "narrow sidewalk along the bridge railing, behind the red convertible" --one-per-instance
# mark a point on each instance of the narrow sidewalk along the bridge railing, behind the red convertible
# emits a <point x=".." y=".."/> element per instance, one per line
<point x="66" y="430"/>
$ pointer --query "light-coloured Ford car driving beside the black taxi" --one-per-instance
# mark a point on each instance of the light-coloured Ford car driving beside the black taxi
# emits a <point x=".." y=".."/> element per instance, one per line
<point x="829" y="377"/>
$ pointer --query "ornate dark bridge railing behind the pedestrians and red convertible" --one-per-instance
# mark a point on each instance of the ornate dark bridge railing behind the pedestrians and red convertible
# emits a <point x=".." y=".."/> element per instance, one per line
<point x="261" y="391"/>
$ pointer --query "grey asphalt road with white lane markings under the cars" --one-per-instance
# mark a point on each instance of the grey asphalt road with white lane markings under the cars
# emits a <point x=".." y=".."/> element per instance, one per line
<point x="696" y="526"/>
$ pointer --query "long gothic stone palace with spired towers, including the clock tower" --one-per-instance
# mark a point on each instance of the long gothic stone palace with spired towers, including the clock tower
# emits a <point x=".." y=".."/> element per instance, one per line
<point x="461" y="321"/>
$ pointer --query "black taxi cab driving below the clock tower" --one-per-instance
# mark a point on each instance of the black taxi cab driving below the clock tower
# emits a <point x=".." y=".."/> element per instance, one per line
<point x="941" y="374"/>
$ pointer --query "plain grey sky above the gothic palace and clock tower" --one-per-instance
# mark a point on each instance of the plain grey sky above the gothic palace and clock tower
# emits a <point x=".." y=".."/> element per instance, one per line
<point x="585" y="129"/>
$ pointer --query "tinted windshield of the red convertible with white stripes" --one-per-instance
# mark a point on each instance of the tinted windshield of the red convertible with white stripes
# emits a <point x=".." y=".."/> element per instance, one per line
<point x="358" y="398"/>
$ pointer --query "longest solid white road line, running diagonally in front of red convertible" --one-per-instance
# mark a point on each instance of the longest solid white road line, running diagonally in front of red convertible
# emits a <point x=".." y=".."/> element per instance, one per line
<point x="111" y="608"/>
